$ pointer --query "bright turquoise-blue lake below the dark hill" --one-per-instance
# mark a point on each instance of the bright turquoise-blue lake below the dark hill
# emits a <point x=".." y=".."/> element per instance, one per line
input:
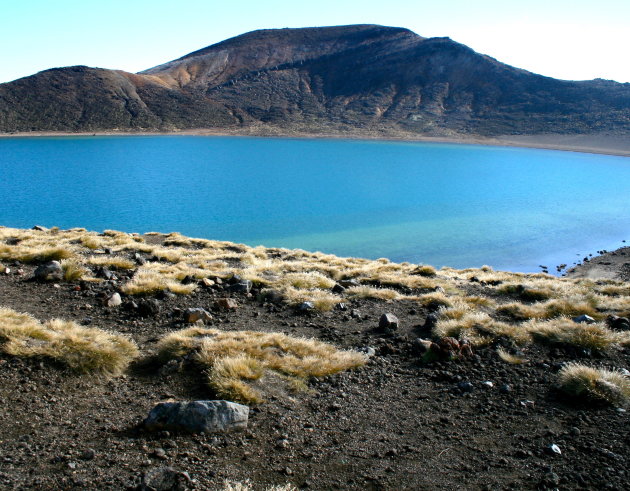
<point x="441" y="204"/>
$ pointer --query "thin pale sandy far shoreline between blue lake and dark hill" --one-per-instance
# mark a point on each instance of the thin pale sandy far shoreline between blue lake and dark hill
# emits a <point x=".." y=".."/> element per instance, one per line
<point x="595" y="144"/>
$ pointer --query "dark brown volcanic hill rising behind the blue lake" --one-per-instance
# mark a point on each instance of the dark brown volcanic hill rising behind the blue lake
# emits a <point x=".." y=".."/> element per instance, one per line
<point x="362" y="78"/>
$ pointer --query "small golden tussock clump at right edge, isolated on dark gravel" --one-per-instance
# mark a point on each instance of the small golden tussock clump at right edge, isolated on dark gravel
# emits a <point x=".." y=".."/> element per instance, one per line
<point x="598" y="384"/>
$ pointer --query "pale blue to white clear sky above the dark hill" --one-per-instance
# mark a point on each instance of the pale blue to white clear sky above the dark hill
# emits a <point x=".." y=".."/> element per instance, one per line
<point x="573" y="40"/>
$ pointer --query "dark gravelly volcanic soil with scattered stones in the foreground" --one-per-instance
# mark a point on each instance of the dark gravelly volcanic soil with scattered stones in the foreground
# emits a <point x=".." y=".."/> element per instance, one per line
<point x="464" y="421"/>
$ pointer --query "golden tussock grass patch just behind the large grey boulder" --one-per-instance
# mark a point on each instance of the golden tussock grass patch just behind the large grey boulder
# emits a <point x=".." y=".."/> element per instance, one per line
<point x="236" y="360"/>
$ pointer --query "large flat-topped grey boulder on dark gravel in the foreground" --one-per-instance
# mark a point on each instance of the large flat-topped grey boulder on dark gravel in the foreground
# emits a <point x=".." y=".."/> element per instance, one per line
<point x="198" y="416"/>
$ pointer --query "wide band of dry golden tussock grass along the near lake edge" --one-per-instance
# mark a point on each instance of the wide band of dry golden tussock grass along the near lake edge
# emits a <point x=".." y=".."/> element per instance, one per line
<point x="303" y="276"/>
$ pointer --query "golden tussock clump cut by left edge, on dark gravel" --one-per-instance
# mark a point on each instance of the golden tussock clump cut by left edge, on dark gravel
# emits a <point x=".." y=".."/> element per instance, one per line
<point x="84" y="350"/>
